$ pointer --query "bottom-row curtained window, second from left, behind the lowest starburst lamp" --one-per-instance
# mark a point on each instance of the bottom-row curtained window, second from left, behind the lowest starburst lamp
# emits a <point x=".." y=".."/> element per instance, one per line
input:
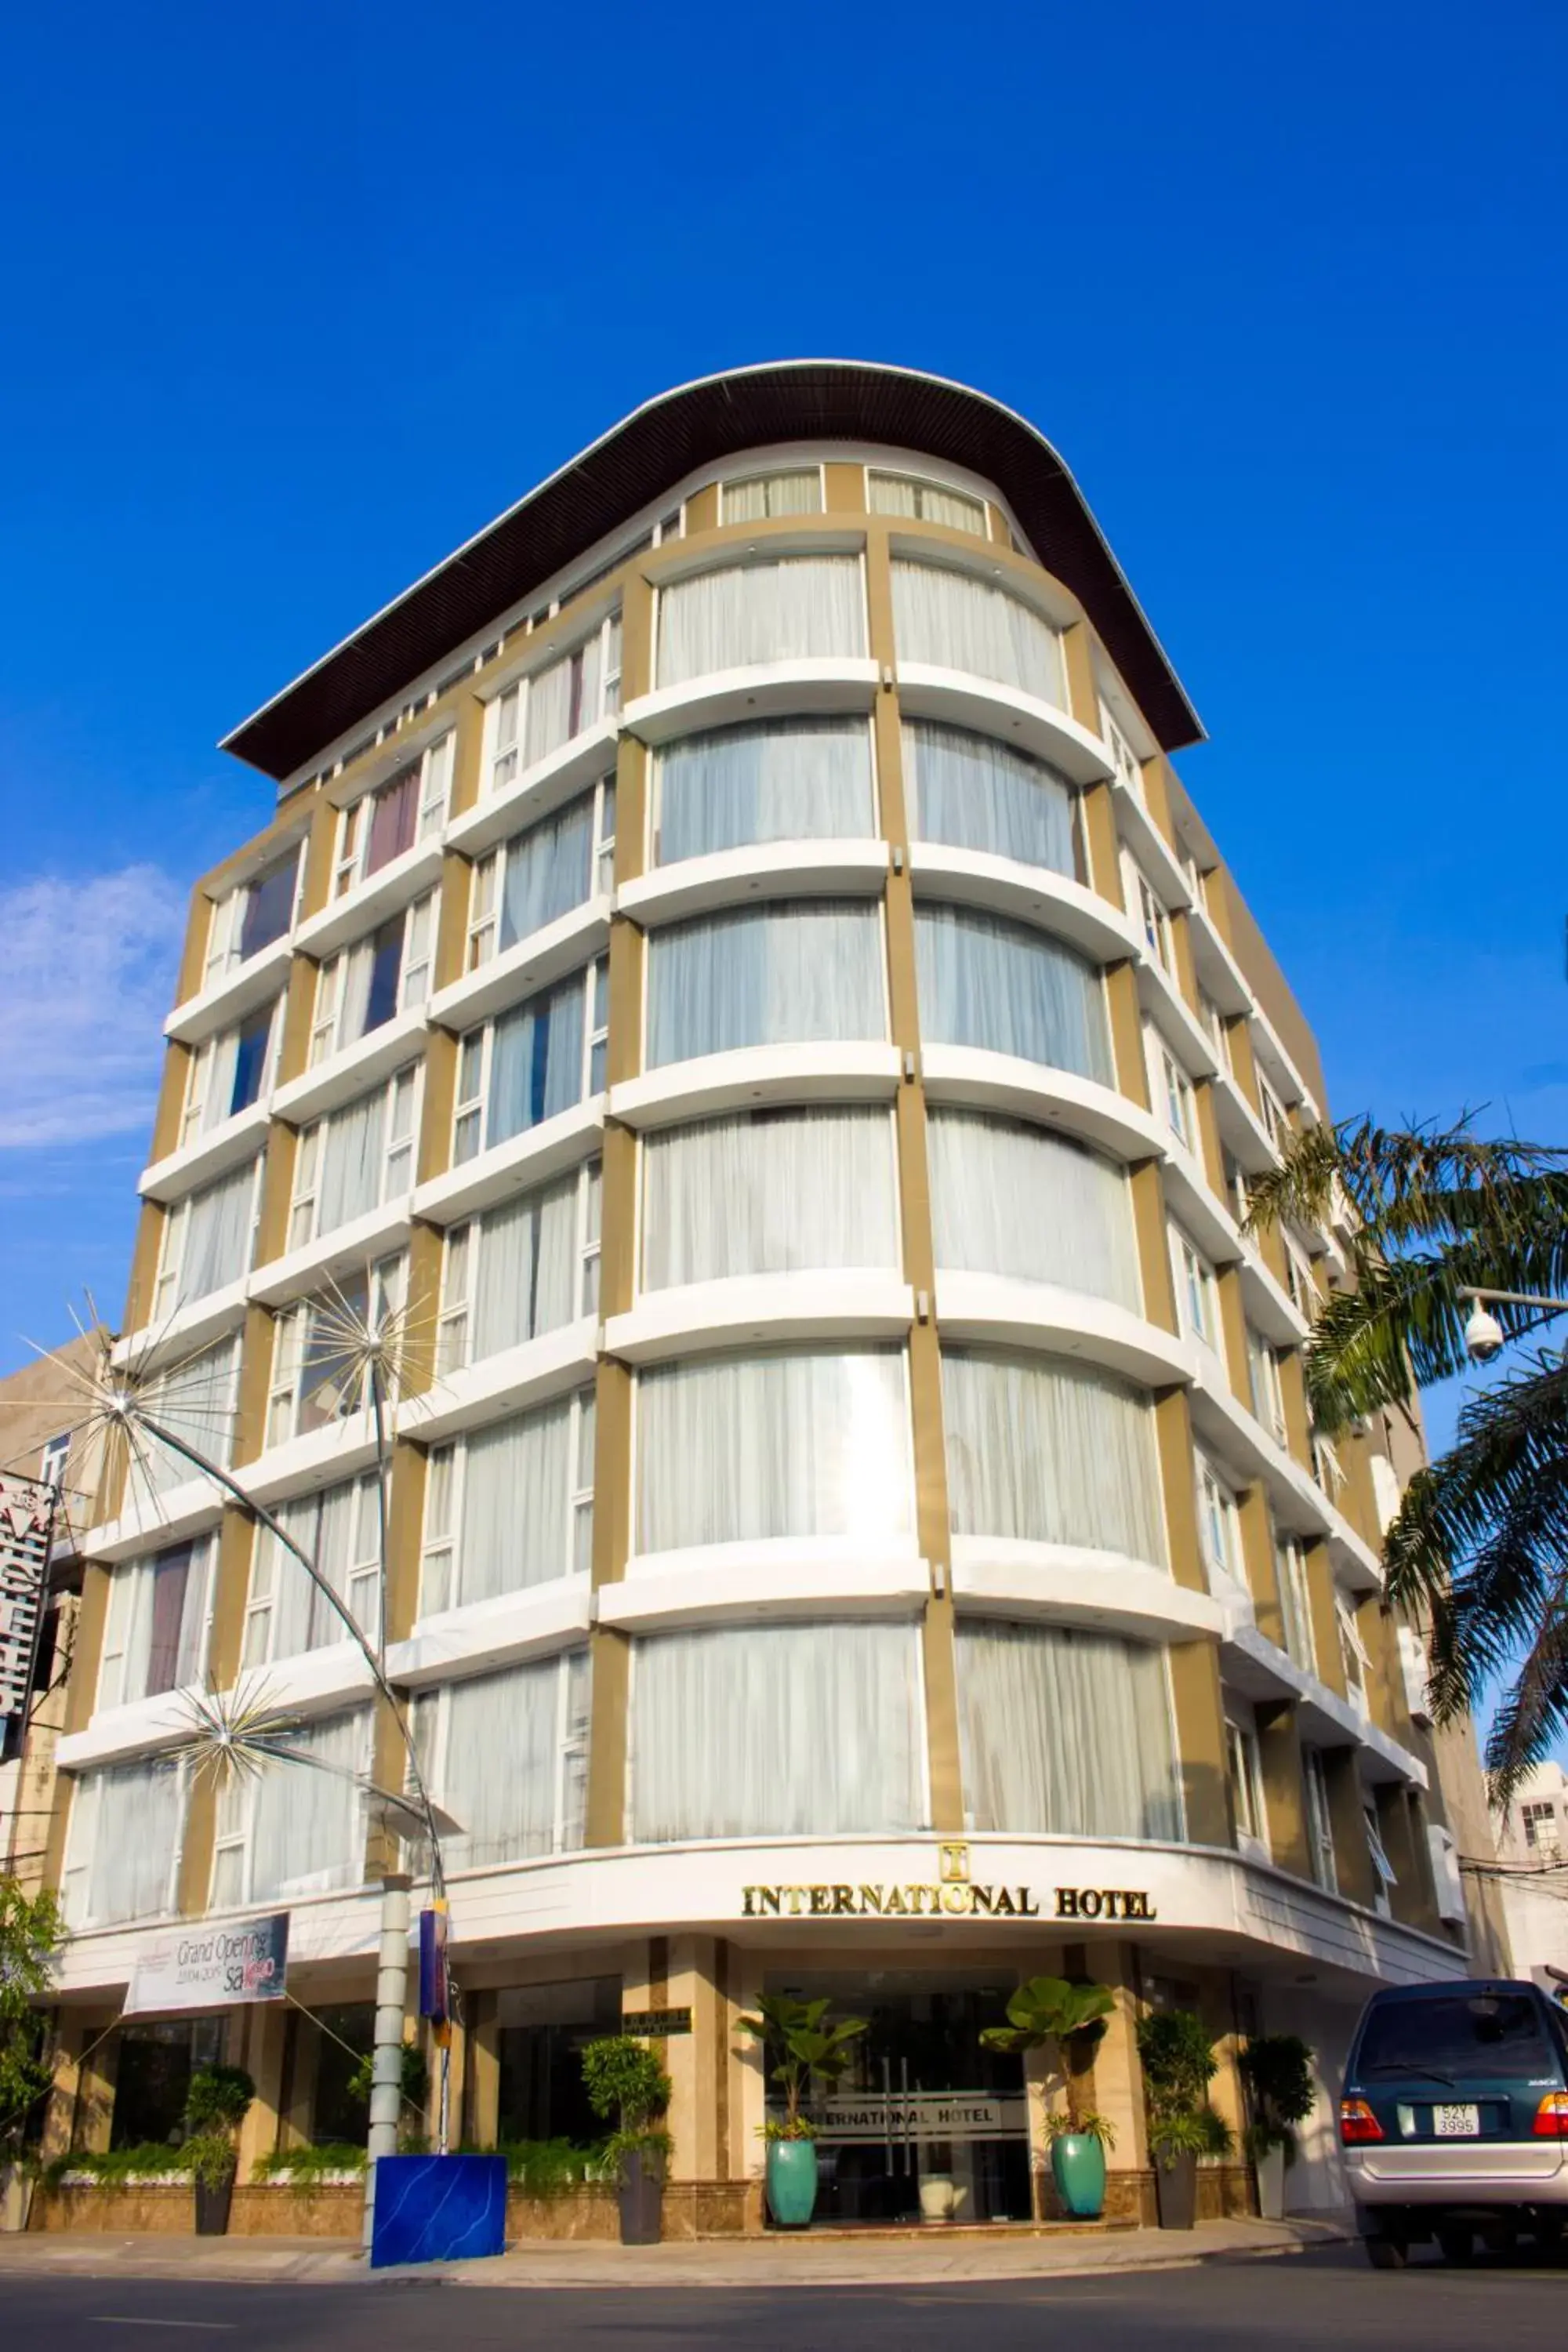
<point x="297" y="1831"/>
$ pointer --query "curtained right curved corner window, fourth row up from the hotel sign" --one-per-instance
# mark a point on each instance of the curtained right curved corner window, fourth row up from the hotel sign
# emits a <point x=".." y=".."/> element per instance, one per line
<point x="1012" y="991"/>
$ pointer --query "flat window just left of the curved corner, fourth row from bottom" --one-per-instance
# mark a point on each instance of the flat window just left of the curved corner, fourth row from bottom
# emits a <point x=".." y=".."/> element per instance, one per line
<point x="530" y="1064"/>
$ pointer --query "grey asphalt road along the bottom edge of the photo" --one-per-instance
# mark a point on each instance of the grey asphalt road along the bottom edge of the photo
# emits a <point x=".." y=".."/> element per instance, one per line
<point x="1301" y="2301"/>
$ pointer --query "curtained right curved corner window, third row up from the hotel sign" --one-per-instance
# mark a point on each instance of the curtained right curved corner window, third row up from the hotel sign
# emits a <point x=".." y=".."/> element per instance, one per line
<point x="1019" y="1201"/>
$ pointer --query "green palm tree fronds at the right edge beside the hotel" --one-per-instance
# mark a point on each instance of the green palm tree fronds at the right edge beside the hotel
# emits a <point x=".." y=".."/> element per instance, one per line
<point x="1480" y="1546"/>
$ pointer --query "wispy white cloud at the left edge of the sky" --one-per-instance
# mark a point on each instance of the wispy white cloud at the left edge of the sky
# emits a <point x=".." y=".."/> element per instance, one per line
<point x="86" y="980"/>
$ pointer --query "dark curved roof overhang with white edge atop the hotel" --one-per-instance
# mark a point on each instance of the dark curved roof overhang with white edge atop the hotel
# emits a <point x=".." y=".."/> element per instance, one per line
<point x="657" y="448"/>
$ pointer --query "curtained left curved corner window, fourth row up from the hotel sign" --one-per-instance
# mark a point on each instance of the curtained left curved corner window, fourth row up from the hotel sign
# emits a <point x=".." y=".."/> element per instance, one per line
<point x="772" y="975"/>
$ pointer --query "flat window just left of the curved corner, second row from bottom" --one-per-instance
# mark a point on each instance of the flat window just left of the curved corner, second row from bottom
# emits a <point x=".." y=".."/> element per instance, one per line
<point x="511" y="1506"/>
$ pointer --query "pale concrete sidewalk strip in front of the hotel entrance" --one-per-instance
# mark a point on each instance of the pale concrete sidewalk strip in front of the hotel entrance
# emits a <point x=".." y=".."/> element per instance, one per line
<point x="800" y="2261"/>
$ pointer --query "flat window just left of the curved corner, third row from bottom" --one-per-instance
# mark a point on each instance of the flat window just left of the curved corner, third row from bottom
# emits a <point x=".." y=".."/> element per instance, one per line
<point x="523" y="1269"/>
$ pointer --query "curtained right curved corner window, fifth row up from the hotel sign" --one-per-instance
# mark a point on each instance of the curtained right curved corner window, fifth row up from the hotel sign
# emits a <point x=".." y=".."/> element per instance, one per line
<point x="974" y="794"/>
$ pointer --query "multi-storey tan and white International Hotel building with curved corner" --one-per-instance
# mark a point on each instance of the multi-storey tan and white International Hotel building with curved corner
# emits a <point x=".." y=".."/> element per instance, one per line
<point x="735" y="963"/>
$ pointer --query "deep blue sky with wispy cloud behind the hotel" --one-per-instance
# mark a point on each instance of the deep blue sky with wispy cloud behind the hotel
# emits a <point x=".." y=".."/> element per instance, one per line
<point x="302" y="298"/>
